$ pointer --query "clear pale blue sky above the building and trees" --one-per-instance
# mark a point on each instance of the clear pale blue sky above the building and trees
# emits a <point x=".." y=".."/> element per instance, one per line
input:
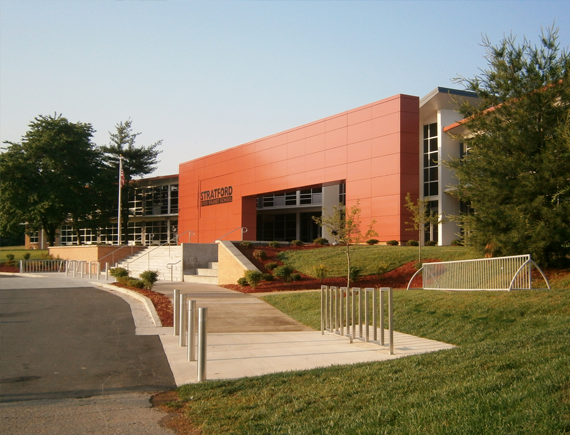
<point x="208" y="75"/>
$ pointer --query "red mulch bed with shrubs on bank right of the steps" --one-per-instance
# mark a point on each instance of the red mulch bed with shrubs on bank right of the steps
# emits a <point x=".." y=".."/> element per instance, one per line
<point x="397" y="278"/>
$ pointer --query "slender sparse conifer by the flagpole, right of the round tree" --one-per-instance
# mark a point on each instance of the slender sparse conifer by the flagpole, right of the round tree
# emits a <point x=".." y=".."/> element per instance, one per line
<point x="137" y="162"/>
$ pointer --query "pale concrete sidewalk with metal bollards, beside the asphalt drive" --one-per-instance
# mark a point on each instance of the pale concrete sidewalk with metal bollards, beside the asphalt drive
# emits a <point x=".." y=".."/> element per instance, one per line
<point x="248" y="337"/>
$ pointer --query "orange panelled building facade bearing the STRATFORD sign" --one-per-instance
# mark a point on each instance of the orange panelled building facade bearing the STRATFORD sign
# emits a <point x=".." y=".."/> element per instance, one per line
<point x="372" y="149"/>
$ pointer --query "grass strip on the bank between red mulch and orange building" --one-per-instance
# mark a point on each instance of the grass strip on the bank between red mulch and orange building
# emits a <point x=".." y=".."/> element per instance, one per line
<point x="368" y="257"/>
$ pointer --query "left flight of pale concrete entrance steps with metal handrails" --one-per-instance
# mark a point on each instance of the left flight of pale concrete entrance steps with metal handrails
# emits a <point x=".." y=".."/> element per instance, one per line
<point x="167" y="260"/>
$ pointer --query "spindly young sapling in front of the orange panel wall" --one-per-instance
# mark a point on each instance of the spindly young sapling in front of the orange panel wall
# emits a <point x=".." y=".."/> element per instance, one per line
<point x="344" y="226"/>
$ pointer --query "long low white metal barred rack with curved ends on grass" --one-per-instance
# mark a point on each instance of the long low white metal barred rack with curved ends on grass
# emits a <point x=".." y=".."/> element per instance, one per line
<point x="501" y="273"/>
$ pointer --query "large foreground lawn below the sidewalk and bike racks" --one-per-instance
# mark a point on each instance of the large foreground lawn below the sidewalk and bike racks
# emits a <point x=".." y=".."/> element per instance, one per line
<point x="509" y="374"/>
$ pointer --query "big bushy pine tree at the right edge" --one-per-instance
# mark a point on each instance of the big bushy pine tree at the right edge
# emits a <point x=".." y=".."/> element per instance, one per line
<point x="516" y="172"/>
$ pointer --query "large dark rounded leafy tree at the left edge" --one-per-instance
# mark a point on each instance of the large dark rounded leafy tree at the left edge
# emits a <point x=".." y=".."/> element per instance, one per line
<point x="49" y="177"/>
